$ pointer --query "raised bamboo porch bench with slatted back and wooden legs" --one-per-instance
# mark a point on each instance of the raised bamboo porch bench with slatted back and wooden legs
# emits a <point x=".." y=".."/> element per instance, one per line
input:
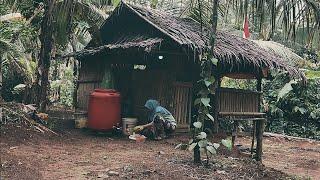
<point x="242" y="105"/>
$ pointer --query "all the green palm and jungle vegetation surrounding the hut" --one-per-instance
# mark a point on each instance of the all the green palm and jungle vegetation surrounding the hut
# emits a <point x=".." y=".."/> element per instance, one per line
<point x="293" y="23"/>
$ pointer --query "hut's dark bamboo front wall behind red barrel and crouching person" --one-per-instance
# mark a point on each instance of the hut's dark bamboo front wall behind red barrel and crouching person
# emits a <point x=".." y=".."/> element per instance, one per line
<point x="171" y="86"/>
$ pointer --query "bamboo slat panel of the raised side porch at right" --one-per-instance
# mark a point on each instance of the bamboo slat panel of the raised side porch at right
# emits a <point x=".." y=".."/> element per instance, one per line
<point x="238" y="102"/>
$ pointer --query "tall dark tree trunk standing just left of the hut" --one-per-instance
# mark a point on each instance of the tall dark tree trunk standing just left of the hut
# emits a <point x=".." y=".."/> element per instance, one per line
<point x="46" y="38"/>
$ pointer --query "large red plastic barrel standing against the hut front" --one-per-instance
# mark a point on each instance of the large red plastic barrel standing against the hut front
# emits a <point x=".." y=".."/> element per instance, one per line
<point x="104" y="109"/>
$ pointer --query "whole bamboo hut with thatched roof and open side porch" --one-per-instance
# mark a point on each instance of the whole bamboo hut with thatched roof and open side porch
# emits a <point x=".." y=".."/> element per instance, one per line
<point x="154" y="55"/>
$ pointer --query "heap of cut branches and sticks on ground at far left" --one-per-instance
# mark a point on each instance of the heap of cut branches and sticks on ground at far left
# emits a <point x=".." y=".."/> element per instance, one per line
<point x="18" y="113"/>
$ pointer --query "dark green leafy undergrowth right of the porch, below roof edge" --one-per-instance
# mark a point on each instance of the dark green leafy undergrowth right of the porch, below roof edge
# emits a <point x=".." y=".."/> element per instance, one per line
<point x="293" y="109"/>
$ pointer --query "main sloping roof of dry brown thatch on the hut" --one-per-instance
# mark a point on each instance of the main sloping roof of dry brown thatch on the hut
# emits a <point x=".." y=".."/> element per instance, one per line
<point x="231" y="50"/>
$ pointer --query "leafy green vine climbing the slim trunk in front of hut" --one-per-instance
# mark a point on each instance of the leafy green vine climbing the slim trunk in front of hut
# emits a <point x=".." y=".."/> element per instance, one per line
<point x="199" y="143"/>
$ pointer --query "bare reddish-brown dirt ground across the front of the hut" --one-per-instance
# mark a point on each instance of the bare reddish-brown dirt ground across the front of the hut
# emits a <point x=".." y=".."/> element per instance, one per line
<point x="82" y="154"/>
